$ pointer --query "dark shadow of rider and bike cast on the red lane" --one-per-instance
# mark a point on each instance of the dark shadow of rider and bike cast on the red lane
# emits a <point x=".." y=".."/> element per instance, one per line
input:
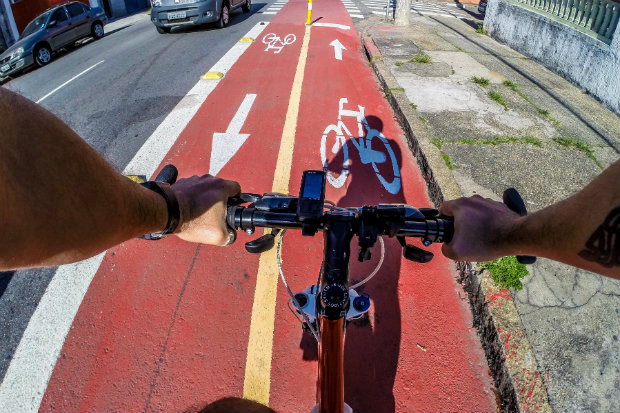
<point x="372" y="344"/>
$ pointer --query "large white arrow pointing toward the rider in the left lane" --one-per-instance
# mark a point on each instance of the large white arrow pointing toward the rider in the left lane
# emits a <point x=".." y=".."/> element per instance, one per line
<point x="225" y="145"/>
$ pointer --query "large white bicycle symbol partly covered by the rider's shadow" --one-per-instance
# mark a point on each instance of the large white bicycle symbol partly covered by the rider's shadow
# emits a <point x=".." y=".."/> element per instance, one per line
<point x="364" y="146"/>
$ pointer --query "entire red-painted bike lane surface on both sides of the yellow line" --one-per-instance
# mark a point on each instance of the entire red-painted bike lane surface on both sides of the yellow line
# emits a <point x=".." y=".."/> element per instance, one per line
<point x="164" y="326"/>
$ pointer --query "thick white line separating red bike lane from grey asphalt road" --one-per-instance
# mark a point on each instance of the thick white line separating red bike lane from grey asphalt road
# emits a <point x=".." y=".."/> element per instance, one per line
<point x="34" y="359"/>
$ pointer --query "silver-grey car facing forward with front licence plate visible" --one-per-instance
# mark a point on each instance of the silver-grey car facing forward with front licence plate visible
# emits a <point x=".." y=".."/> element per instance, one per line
<point x="167" y="14"/>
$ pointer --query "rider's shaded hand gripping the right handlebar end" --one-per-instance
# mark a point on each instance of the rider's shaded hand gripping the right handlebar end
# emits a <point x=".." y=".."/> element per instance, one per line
<point x="483" y="229"/>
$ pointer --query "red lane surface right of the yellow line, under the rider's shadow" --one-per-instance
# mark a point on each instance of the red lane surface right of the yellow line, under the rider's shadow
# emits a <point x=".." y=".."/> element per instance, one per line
<point x="417" y="351"/>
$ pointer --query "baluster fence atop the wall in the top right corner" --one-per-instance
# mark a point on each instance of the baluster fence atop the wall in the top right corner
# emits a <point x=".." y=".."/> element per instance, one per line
<point x="597" y="16"/>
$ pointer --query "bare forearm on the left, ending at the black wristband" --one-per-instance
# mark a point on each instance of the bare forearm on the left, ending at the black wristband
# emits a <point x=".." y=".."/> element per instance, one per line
<point x="61" y="201"/>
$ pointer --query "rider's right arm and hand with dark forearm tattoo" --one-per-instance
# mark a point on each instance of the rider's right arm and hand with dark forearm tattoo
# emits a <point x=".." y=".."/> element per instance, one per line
<point x="583" y="230"/>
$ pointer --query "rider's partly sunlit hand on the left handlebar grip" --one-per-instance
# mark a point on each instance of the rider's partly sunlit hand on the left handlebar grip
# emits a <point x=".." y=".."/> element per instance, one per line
<point x="202" y="201"/>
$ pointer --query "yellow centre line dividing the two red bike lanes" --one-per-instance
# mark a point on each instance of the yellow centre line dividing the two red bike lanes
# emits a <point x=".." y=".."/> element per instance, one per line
<point x="257" y="380"/>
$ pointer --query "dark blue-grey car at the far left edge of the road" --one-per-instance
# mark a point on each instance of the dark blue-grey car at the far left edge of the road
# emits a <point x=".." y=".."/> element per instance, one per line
<point x="58" y="27"/>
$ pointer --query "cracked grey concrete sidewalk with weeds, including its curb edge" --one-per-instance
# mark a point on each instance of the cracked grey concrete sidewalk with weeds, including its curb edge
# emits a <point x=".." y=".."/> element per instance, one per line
<point x="481" y="118"/>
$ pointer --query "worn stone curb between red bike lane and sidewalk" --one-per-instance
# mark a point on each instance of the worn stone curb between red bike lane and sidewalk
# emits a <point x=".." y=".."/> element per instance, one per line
<point x="512" y="362"/>
